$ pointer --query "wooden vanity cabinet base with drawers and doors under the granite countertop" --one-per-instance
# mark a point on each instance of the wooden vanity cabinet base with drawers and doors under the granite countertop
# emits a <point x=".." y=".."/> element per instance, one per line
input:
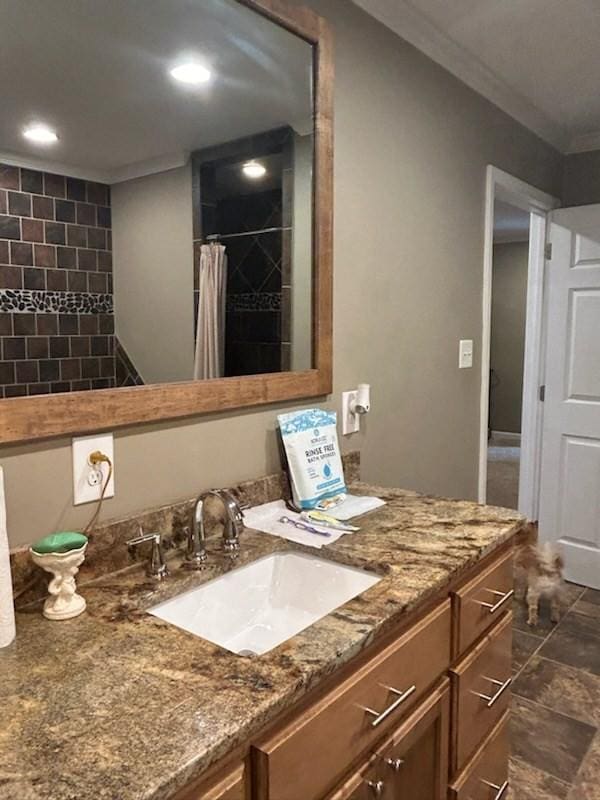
<point x="420" y="715"/>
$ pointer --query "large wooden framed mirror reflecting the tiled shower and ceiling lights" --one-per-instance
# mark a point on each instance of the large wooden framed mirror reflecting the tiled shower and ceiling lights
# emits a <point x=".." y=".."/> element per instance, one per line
<point x="166" y="193"/>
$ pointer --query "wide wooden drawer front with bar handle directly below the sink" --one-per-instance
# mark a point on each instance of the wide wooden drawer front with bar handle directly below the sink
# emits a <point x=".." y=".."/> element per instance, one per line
<point x="309" y="755"/>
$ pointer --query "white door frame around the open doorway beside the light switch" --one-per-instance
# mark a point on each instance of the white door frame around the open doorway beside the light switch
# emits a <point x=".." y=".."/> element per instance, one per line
<point x="502" y="185"/>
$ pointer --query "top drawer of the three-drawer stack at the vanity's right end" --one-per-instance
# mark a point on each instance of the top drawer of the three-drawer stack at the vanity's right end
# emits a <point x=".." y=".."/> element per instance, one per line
<point x="482" y="601"/>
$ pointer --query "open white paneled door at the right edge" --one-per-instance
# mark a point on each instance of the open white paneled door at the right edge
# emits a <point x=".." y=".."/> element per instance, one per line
<point x="570" y="477"/>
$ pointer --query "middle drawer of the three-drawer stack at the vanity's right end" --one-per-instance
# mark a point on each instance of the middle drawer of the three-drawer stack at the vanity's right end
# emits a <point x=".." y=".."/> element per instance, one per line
<point x="482" y="690"/>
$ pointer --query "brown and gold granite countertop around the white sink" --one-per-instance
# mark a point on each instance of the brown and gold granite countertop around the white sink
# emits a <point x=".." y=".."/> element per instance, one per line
<point x="118" y="705"/>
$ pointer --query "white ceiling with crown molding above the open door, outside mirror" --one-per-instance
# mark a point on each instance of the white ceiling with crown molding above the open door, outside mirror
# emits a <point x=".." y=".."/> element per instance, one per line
<point x="538" y="60"/>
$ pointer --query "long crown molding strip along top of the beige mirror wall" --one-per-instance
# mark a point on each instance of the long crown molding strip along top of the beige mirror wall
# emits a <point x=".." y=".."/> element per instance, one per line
<point x="418" y="30"/>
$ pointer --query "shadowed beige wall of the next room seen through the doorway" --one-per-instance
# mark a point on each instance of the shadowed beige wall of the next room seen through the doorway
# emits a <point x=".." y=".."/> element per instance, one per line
<point x="509" y="303"/>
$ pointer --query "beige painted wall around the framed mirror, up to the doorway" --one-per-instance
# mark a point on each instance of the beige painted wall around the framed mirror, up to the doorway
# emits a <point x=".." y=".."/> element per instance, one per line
<point x="412" y="143"/>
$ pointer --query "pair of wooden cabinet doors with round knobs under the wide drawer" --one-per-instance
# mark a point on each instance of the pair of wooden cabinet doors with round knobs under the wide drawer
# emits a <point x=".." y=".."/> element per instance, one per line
<point x="412" y="763"/>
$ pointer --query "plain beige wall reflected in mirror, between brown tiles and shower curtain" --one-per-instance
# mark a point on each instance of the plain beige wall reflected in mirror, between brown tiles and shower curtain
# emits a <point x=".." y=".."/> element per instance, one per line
<point x="153" y="273"/>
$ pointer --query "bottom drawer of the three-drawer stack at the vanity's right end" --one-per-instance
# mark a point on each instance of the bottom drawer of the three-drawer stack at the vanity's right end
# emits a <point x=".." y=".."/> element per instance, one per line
<point x="486" y="776"/>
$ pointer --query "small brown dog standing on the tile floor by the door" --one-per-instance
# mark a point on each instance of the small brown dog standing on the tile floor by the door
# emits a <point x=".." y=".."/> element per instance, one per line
<point x="538" y="573"/>
